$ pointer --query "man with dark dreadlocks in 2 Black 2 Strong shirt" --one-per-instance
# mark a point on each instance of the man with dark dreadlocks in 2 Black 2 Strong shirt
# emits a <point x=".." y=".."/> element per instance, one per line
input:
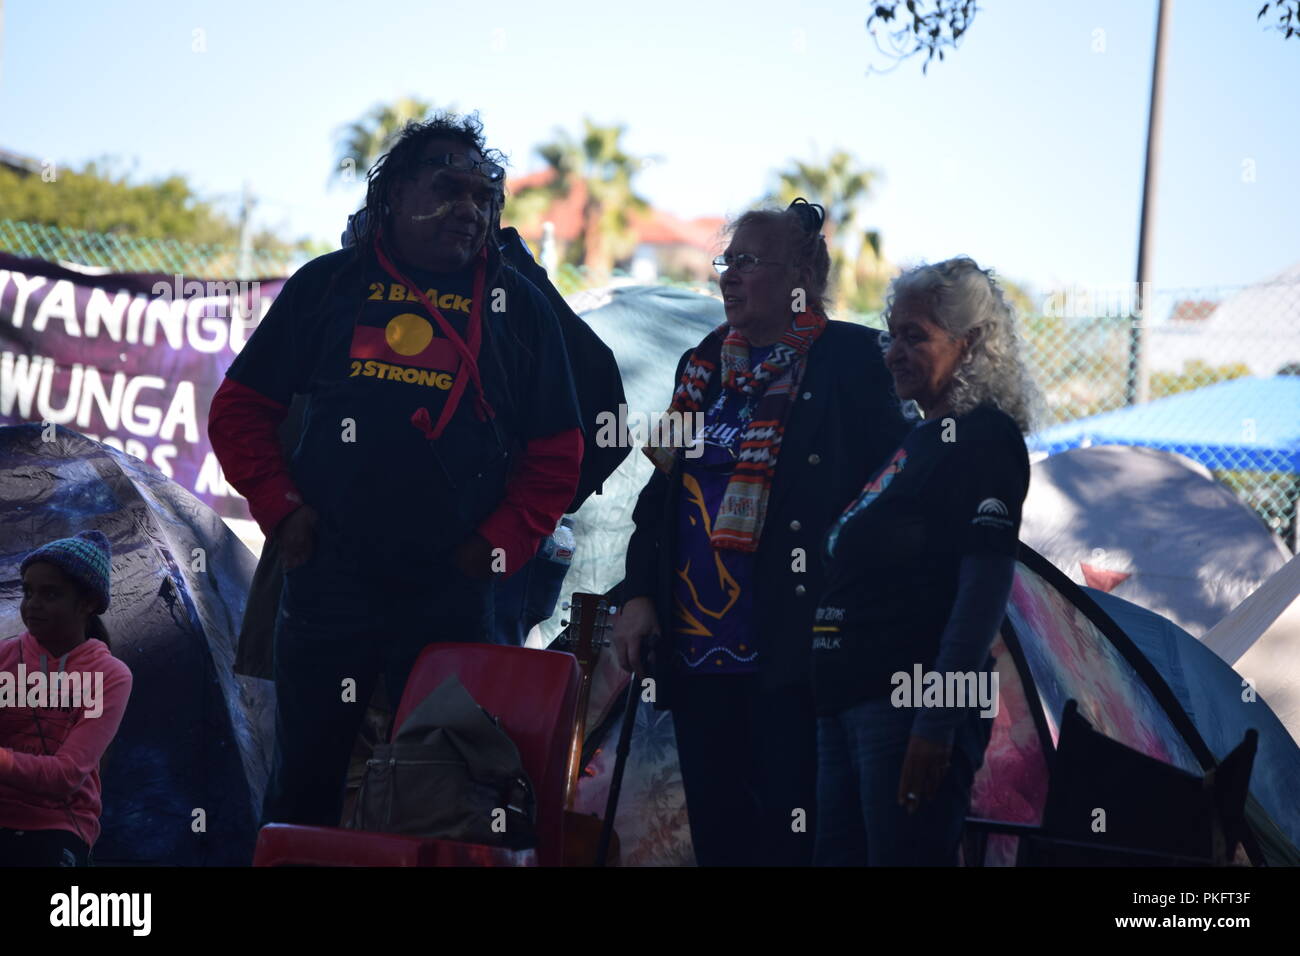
<point x="441" y="443"/>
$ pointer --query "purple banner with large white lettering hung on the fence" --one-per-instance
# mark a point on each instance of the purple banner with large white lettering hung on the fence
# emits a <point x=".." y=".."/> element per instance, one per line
<point x="129" y="360"/>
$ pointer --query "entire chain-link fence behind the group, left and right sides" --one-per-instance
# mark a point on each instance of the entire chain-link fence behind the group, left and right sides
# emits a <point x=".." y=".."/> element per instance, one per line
<point x="1087" y="353"/>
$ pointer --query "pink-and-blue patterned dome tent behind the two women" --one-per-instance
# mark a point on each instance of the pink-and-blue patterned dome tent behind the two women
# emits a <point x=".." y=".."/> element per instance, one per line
<point x="1143" y="684"/>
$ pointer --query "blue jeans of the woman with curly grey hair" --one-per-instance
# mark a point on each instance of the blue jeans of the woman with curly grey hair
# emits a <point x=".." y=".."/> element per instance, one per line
<point x="860" y="821"/>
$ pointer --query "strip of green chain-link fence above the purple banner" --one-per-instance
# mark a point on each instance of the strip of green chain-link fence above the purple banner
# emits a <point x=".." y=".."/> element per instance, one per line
<point x="114" y="253"/>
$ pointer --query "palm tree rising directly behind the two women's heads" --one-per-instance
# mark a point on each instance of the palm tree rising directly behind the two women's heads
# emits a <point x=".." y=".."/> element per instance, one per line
<point x="843" y="188"/>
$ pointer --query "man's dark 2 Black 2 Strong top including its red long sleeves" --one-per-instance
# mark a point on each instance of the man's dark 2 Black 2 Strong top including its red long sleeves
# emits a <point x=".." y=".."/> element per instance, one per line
<point x="362" y="347"/>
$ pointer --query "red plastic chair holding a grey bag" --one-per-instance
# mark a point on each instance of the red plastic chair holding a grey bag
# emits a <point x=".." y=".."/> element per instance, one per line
<point x="535" y="694"/>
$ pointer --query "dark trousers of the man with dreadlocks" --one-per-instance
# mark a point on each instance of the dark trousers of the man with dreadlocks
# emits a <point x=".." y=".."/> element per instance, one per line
<point x="337" y="625"/>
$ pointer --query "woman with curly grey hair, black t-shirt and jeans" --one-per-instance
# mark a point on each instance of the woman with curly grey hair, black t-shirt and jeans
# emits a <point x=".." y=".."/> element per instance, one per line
<point x="920" y="570"/>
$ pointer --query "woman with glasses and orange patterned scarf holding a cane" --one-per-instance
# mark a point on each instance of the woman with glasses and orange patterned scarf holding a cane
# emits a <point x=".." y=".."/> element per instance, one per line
<point x="723" y="568"/>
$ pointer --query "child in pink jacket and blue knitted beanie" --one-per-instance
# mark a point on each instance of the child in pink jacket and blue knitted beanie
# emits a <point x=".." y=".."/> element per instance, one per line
<point x="62" y="699"/>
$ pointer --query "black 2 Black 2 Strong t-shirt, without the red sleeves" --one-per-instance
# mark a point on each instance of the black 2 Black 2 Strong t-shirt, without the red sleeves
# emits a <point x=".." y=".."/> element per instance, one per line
<point x="370" y="357"/>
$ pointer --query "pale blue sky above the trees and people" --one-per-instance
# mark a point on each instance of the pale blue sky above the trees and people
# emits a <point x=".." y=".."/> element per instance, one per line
<point x="1025" y="150"/>
